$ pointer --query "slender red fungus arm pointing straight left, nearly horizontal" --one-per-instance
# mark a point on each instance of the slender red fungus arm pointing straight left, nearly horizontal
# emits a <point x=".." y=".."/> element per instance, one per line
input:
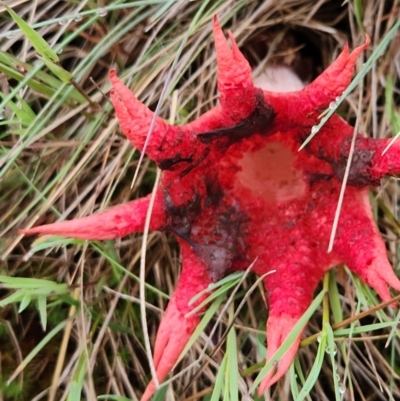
<point x="113" y="223"/>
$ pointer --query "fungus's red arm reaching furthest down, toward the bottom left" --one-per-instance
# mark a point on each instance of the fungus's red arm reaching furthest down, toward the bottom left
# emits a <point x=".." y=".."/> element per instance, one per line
<point x="176" y="328"/>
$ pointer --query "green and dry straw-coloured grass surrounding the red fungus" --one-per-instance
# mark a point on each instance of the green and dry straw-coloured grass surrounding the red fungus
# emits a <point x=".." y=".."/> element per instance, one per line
<point x="70" y="320"/>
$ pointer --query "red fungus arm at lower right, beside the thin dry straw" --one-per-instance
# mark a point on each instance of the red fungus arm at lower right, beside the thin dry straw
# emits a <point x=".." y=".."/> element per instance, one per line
<point x="360" y="245"/>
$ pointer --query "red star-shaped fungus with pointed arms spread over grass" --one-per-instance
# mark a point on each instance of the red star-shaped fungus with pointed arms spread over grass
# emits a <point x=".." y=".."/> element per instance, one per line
<point x="235" y="189"/>
